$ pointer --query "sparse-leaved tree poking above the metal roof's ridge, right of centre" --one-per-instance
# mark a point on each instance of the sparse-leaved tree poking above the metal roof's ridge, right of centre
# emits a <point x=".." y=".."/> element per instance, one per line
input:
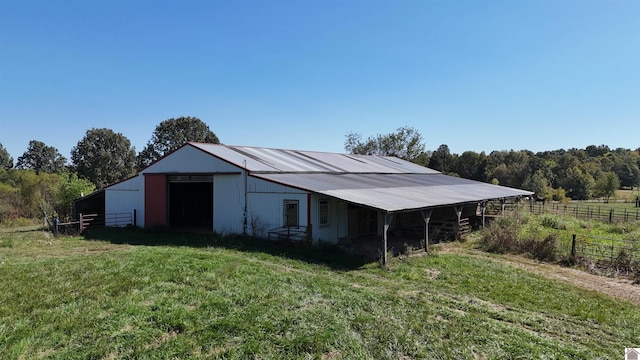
<point x="406" y="143"/>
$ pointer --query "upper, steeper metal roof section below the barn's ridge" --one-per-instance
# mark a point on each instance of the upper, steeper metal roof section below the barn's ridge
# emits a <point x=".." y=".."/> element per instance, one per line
<point x="255" y="159"/>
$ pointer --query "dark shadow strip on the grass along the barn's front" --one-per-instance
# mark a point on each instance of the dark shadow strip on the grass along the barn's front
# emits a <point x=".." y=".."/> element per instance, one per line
<point x="327" y="255"/>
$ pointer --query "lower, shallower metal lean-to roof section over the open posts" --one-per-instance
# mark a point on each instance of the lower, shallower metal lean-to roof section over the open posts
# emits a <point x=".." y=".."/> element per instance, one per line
<point x="396" y="192"/>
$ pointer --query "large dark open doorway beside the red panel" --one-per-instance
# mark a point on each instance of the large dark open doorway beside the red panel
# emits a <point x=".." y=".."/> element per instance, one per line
<point x="191" y="205"/>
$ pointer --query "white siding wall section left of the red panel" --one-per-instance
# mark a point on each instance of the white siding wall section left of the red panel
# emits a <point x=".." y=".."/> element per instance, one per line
<point x="126" y="196"/>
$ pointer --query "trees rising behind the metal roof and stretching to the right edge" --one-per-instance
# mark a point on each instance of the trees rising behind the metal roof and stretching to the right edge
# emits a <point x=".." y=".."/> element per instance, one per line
<point x="579" y="174"/>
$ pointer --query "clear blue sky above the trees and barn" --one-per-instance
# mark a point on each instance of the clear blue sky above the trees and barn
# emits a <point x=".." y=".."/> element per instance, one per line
<point x="300" y="74"/>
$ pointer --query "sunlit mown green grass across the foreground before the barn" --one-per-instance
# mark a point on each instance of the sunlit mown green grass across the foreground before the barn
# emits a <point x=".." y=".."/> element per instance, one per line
<point x="152" y="295"/>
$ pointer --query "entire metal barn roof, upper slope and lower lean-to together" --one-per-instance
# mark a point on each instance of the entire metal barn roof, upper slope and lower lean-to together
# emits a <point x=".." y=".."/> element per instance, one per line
<point x="382" y="182"/>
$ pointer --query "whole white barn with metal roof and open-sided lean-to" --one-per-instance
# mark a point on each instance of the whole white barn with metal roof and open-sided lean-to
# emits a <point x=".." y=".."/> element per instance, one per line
<point x="299" y="195"/>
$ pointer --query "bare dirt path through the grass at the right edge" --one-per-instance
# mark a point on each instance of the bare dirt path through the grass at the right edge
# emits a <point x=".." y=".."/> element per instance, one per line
<point x="615" y="287"/>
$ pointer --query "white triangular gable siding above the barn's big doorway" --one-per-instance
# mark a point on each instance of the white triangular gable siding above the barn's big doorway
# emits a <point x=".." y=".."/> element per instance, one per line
<point x="189" y="159"/>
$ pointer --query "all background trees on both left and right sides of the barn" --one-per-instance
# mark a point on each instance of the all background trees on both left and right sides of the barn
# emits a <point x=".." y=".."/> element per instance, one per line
<point x="42" y="181"/>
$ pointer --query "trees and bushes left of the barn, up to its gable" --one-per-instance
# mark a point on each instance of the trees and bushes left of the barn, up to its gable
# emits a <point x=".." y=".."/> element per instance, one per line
<point x="43" y="183"/>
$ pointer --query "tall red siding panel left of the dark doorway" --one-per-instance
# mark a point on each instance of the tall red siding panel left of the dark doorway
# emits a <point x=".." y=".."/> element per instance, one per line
<point x="155" y="200"/>
